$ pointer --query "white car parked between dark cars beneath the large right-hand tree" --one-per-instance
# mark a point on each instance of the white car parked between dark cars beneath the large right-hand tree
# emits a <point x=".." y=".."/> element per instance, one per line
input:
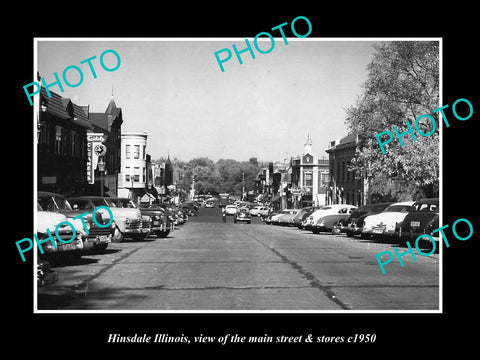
<point x="382" y="225"/>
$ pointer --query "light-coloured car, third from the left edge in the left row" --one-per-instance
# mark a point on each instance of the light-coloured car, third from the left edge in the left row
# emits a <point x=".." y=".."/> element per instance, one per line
<point x="128" y="221"/>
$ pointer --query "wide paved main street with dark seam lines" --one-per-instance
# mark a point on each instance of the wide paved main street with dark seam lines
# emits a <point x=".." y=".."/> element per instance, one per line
<point x="210" y="265"/>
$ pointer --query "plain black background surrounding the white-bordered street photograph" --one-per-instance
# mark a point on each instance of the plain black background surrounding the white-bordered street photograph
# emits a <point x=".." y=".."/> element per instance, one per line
<point x="403" y="334"/>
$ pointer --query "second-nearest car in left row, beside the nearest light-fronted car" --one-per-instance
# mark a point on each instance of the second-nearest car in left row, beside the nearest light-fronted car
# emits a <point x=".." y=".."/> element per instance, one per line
<point x="97" y="238"/>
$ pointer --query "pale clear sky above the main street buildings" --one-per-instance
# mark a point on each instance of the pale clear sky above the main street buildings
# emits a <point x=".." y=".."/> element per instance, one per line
<point x="174" y="90"/>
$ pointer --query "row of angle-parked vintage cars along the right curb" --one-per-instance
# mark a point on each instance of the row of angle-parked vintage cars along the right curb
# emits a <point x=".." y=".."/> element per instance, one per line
<point x="389" y="220"/>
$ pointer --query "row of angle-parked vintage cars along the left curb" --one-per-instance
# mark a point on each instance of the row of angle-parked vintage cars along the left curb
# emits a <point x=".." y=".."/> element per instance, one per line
<point x="130" y="221"/>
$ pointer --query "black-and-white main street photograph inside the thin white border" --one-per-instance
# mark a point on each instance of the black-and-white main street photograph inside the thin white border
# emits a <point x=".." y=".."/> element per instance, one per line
<point x="271" y="174"/>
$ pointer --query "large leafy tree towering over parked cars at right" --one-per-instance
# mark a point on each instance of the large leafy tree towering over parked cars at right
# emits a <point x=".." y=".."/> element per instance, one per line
<point x="403" y="83"/>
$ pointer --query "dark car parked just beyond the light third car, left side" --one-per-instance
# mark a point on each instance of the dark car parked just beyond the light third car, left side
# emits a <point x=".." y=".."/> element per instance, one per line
<point x="159" y="221"/>
